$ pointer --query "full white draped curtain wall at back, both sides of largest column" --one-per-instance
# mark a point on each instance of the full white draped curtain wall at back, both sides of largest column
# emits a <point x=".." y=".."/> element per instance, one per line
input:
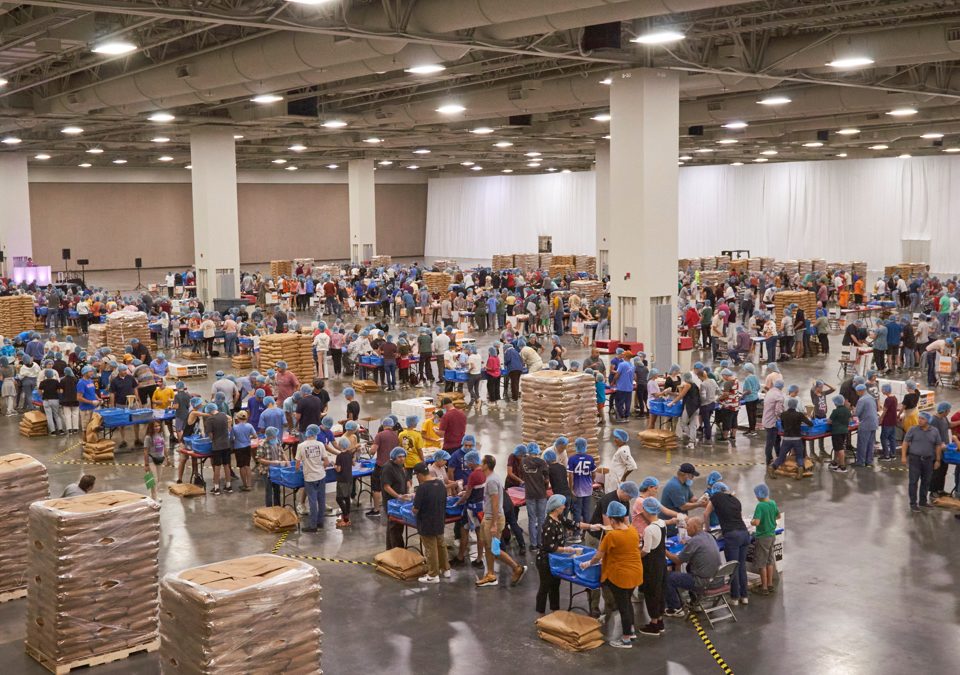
<point x="838" y="209"/>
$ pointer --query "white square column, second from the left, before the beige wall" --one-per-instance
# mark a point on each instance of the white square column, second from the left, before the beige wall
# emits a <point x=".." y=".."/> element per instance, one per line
<point x="216" y="232"/>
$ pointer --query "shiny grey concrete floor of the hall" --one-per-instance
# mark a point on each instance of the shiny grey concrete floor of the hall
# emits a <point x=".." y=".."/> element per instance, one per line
<point x="868" y="586"/>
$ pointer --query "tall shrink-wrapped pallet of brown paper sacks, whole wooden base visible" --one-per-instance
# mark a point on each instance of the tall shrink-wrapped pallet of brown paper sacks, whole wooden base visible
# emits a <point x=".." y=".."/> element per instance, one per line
<point x="93" y="580"/>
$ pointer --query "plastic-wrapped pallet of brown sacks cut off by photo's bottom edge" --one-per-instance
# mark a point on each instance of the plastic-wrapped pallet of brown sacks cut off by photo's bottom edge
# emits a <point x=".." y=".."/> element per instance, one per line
<point x="259" y="614"/>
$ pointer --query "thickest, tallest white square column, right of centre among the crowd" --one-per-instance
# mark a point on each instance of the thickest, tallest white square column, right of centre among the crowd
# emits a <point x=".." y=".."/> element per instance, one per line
<point x="645" y="112"/>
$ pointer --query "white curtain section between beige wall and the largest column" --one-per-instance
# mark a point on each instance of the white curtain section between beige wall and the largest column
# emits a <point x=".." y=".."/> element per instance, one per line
<point x="478" y="217"/>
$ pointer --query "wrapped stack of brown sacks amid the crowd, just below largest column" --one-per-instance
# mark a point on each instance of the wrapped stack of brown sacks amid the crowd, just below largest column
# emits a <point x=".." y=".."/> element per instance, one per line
<point x="556" y="403"/>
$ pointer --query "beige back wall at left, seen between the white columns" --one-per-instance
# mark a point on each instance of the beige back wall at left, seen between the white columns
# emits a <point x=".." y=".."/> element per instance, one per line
<point x="113" y="223"/>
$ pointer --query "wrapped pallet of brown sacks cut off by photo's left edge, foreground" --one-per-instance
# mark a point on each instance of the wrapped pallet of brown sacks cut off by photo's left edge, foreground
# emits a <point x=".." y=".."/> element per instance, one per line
<point x="23" y="480"/>
